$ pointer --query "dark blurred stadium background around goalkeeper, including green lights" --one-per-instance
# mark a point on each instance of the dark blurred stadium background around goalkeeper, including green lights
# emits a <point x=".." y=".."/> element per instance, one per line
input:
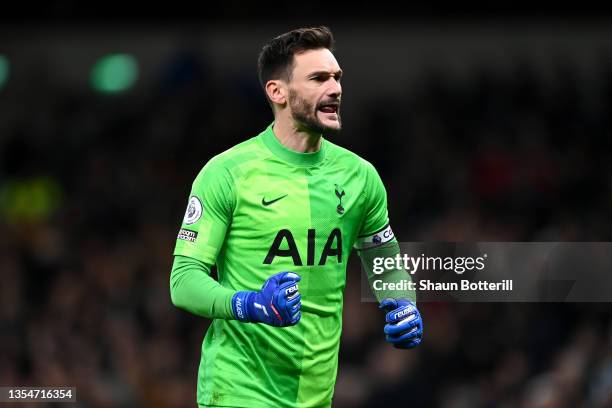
<point x="485" y="126"/>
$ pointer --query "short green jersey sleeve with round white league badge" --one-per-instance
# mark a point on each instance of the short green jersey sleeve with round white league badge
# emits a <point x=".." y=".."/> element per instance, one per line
<point x="208" y="215"/>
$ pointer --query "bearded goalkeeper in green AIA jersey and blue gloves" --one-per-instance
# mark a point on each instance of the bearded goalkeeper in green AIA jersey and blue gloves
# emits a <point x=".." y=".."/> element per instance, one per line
<point x="284" y="207"/>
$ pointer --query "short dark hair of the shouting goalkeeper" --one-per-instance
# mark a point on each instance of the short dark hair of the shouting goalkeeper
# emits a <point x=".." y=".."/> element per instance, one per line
<point x="275" y="60"/>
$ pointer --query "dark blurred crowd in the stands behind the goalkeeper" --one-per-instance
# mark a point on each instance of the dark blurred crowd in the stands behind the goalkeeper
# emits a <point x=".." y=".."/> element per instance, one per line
<point x="93" y="189"/>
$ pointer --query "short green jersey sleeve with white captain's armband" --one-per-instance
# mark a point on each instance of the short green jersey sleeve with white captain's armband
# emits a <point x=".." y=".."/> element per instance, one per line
<point x="375" y="229"/>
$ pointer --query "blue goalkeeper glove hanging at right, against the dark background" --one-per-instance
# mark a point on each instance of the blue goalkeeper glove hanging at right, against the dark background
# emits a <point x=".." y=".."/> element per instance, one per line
<point x="404" y="328"/>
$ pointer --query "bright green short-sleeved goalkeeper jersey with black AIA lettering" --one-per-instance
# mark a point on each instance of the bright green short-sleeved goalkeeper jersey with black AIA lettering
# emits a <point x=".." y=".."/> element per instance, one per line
<point x="258" y="209"/>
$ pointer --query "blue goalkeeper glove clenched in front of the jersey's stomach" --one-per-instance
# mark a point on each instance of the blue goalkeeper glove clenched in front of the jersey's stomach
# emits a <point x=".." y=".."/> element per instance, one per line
<point x="278" y="303"/>
